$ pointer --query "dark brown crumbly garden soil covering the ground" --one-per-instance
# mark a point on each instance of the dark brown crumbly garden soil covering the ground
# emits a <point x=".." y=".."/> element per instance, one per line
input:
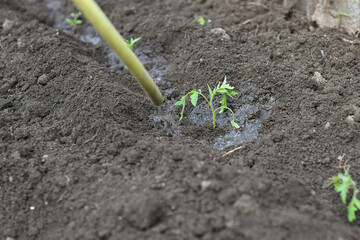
<point x="83" y="154"/>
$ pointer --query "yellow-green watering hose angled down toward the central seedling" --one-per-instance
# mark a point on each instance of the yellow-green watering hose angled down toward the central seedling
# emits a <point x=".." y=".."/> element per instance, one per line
<point x="108" y="32"/>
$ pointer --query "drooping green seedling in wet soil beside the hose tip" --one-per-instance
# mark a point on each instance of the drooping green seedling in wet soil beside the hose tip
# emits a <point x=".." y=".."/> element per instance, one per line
<point x="224" y="89"/>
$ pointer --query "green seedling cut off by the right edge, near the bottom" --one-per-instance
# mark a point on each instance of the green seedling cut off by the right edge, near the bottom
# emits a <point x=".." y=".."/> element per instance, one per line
<point x="342" y="184"/>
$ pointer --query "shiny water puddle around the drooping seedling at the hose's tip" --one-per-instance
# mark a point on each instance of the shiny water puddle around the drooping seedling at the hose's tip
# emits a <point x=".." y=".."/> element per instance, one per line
<point x="250" y="108"/>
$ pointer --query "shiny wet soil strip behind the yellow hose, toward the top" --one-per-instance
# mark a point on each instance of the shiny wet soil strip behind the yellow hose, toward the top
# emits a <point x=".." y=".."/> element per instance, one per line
<point x="156" y="64"/>
